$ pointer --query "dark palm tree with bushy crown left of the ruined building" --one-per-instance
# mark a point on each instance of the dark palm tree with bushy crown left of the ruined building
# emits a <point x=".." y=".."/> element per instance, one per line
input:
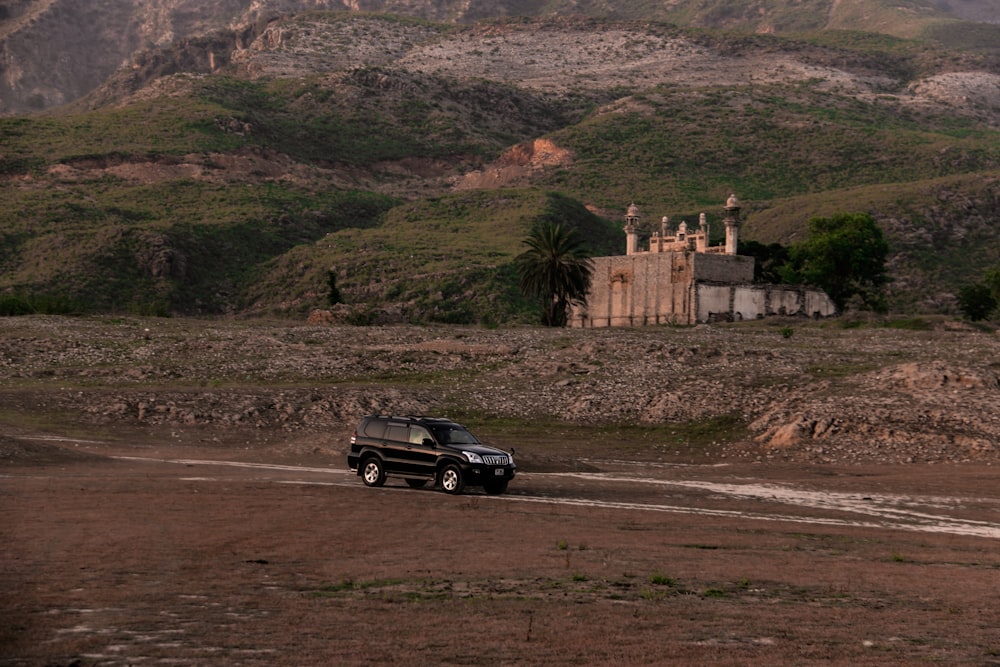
<point x="555" y="269"/>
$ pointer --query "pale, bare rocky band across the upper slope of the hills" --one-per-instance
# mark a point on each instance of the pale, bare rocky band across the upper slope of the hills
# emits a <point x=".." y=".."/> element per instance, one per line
<point x="574" y="55"/>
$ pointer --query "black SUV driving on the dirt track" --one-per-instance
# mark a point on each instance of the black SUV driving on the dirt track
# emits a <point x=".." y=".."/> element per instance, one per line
<point x="422" y="449"/>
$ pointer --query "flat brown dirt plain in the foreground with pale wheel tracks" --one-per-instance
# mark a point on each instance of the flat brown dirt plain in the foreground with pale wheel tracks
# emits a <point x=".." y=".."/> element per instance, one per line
<point x="152" y="549"/>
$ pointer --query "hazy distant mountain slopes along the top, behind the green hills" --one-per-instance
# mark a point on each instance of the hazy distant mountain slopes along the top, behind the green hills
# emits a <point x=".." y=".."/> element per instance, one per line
<point x="55" y="51"/>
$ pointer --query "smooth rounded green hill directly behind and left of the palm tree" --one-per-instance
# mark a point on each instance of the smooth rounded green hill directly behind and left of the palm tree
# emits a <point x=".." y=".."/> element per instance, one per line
<point x="442" y="259"/>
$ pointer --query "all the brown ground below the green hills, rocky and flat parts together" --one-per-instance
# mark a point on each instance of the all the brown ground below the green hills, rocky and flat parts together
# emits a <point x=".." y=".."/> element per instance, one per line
<point x="175" y="492"/>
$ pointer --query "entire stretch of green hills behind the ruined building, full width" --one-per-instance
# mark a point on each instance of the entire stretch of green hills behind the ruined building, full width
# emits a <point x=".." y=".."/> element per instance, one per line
<point x="224" y="194"/>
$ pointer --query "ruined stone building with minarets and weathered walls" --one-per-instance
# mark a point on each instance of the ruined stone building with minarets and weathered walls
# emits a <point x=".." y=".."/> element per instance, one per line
<point x="681" y="279"/>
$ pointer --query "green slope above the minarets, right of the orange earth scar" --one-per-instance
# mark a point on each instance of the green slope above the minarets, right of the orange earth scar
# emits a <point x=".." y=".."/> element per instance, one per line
<point x="689" y="149"/>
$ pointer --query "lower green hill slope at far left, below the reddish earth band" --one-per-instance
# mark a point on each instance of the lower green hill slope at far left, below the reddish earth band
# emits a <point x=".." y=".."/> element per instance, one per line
<point x="173" y="247"/>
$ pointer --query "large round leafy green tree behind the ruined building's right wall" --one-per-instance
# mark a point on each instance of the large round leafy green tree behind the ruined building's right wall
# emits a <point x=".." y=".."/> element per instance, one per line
<point x="845" y="255"/>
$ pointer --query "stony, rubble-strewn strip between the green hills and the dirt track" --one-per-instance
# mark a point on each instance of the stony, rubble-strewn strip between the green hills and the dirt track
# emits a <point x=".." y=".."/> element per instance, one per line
<point x="775" y="391"/>
